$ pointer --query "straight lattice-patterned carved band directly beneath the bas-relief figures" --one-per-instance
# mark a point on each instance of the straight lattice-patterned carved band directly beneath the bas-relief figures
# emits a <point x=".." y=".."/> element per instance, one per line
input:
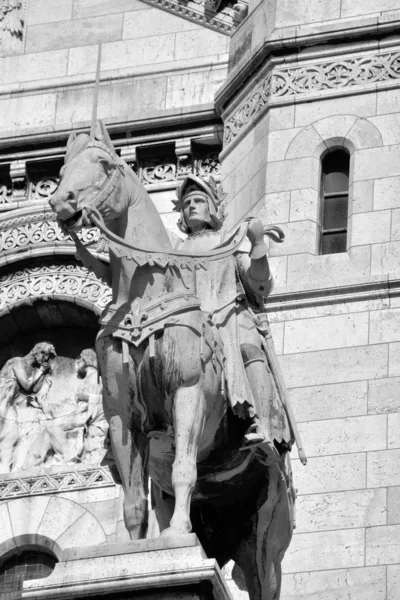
<point x="51" y="483"/>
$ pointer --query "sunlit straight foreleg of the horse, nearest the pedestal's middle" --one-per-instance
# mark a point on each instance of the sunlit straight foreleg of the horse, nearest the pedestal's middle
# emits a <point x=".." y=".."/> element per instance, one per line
<point x="188" y="417"/>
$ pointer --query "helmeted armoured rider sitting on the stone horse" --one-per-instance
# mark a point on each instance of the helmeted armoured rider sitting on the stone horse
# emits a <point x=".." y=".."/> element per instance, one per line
<point x="232" y="292"/>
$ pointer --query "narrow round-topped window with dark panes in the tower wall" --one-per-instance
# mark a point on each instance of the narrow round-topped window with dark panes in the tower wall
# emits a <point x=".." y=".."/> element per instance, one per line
<point x="335" y="202"/>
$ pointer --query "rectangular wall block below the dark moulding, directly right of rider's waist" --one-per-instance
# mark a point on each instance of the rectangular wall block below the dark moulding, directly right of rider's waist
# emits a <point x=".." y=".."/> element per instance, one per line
<point x="323" y="333"/>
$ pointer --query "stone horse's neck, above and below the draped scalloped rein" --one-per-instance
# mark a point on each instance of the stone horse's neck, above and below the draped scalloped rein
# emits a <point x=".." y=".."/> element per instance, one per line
<point x="141" y="226"/>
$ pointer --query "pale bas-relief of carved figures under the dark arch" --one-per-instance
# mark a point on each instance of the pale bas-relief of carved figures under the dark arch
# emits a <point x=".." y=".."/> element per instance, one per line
<point x="50" y="411"/>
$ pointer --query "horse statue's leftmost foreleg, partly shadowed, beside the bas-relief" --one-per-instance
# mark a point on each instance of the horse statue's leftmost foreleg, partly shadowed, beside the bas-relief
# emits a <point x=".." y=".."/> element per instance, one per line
<point x="129" y="447"/>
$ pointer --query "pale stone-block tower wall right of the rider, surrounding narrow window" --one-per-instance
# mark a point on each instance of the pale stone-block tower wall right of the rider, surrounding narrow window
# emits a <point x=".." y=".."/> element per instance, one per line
<point x="335" y="318"/>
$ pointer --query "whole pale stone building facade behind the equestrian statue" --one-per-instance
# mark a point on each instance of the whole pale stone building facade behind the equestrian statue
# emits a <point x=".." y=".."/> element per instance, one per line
<point x="295" y="109"/>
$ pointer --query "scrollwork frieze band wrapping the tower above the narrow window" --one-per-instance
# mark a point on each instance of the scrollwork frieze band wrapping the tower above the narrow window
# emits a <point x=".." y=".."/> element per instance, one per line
<point x="306" y="80"/>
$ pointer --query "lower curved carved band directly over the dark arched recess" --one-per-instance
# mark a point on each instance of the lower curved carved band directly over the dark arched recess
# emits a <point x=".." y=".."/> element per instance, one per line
<point x="56" y="280"/>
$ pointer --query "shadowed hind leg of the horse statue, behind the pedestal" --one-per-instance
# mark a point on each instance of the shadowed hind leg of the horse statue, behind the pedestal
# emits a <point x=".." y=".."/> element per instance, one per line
<point x="261" y="553"/>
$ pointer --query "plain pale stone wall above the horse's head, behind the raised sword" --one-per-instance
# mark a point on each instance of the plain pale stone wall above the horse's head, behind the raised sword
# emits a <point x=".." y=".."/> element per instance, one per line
<point x="154" y="64"/>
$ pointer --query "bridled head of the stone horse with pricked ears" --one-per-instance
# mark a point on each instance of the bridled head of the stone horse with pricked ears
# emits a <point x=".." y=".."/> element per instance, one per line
<point x="91" y="172"/>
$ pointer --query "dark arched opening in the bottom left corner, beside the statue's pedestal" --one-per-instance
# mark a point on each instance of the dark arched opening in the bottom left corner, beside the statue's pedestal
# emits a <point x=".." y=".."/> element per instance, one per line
<point x="18" y="568"/>
